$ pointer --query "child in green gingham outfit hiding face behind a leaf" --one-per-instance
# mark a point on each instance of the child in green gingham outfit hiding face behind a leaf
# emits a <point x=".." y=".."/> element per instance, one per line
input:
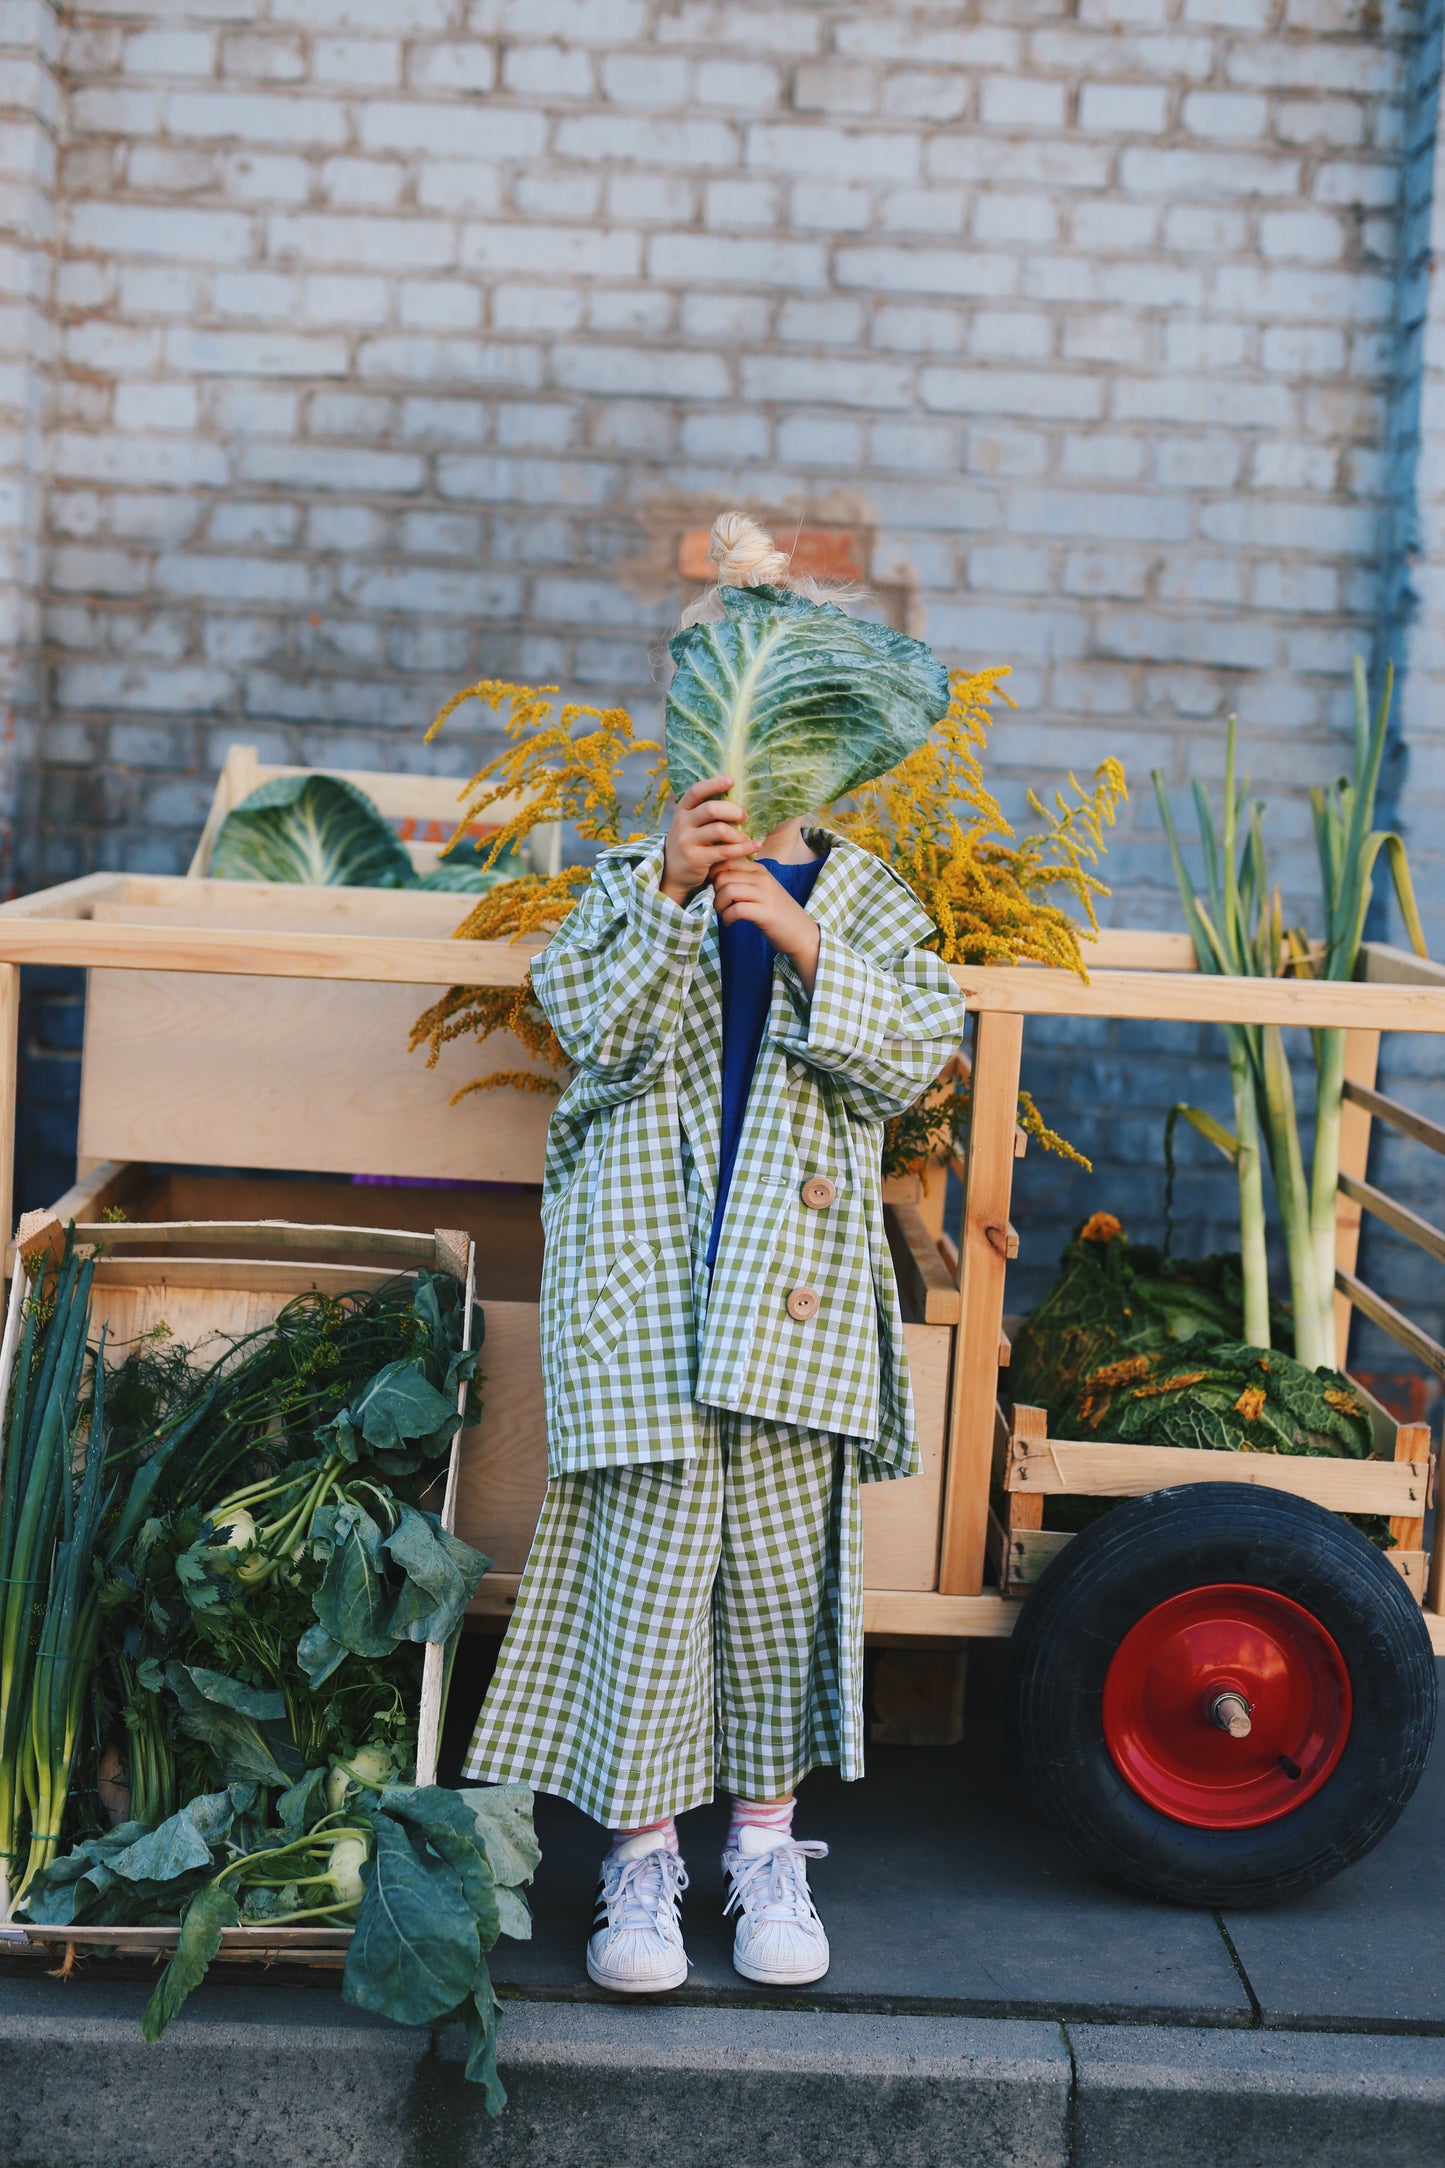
<point x="722" y="1352"/>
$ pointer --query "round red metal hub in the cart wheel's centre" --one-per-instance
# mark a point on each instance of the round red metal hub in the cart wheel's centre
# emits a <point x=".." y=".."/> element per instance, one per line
<point x="1208" y="1657"/>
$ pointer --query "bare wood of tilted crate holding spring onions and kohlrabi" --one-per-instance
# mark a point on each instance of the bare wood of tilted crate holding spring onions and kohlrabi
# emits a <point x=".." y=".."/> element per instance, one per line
<point x="211" y="1282"/>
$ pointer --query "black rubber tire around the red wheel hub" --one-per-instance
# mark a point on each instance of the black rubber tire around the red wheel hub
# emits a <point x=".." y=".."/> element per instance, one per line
<point x="1175" y="1540"/>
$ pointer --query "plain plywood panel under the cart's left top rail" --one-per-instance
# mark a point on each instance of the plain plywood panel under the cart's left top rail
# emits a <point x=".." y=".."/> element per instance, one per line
<point x="235" y="1072"/>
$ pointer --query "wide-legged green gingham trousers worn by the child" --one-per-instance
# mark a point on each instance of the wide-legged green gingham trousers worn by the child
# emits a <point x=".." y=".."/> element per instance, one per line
<point x="686" y="1625"/>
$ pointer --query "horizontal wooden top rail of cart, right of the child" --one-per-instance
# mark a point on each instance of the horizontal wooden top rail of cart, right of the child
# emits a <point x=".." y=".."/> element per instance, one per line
<point x="1201" y="998"/>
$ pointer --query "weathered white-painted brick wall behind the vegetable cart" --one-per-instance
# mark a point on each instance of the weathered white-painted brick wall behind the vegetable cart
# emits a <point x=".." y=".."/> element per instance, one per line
<point x="398" y="339"/>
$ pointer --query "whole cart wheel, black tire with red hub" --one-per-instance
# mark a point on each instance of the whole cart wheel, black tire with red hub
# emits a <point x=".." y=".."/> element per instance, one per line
<point x="1223" y="1694"/>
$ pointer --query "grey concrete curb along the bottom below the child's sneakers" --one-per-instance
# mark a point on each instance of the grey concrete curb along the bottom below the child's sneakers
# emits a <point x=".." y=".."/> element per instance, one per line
<point x="291" y="2074"/>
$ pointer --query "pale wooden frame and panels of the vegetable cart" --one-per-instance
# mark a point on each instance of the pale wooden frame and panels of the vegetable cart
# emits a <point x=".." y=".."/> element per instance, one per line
<point x="187" y="975"/>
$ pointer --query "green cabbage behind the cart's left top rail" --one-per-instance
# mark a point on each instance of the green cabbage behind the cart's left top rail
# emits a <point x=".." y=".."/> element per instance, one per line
<point x="311" y="829"/>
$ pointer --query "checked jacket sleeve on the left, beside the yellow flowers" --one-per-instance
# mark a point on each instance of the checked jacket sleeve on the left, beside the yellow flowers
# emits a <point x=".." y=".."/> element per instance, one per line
<point x="614" y="977"/>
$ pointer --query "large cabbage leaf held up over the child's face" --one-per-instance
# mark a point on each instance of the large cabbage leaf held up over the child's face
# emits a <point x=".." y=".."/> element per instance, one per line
<point x="796" y="701"/>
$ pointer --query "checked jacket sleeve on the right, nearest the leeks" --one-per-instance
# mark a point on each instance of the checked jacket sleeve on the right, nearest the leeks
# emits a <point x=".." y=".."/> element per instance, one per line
<point x="883" y="1029"/>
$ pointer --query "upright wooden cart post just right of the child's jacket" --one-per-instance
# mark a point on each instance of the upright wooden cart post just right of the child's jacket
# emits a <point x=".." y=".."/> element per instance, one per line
<point x="982" y="1272"/>
